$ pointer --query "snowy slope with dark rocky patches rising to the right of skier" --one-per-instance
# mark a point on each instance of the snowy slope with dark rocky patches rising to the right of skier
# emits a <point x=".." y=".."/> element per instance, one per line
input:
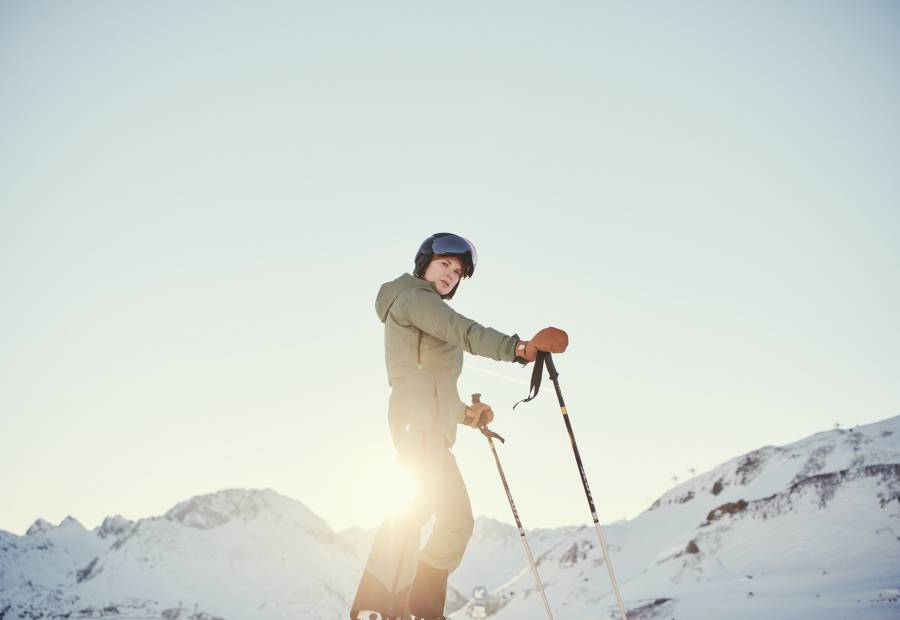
<point x="807" y="530"/>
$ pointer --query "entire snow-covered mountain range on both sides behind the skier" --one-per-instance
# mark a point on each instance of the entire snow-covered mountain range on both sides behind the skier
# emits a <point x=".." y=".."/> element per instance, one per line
<point x="808" y="530"/>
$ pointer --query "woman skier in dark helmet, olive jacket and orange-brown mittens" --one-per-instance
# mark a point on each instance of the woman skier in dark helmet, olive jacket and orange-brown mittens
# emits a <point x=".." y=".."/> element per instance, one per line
<point x="424" y="340"/>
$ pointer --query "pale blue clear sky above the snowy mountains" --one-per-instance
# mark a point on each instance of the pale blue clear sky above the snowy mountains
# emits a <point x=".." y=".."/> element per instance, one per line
<point x="200" y="201"/>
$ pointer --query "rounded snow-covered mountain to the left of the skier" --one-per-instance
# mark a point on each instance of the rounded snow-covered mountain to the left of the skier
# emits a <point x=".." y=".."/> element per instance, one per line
<point x="231" y="554"/>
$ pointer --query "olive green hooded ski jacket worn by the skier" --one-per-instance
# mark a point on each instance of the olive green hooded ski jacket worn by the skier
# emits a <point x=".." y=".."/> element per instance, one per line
<point x="424" y="340"/>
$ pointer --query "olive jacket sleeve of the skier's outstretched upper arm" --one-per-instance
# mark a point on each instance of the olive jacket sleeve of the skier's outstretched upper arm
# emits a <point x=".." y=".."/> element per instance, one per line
<point x="427" y="311"/>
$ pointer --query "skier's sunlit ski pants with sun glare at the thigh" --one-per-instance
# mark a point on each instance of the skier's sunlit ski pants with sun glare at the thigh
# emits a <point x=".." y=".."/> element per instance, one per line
<point x="395" y="555"/>
